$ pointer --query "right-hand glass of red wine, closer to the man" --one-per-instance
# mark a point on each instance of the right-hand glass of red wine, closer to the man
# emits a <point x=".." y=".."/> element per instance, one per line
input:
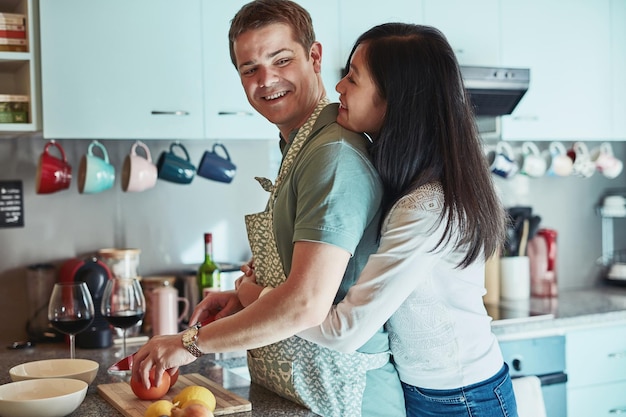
<point x="123" y="304"/>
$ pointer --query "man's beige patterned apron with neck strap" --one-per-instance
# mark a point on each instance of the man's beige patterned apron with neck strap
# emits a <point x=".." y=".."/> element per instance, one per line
<point x="328" y="382"/>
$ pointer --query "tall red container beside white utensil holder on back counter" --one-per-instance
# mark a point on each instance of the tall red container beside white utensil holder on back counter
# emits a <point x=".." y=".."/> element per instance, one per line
<point x="542" y="254"/>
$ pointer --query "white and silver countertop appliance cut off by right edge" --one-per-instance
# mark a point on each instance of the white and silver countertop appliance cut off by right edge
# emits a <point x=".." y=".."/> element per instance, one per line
<point x="612" y="208"/>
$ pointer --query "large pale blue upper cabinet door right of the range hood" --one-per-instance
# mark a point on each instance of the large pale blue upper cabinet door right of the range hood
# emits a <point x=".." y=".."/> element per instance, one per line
<point x="566" y="45"/>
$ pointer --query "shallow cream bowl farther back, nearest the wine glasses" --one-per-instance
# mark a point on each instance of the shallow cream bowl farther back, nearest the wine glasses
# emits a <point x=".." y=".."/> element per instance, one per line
<point x="82" y="369"/>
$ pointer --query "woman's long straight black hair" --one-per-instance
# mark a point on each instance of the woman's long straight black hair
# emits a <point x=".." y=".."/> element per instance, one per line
<point x="429" y="133"/>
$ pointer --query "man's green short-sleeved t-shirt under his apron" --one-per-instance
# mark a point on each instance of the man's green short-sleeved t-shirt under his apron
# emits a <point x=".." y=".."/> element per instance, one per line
<point x="332" y="194"/>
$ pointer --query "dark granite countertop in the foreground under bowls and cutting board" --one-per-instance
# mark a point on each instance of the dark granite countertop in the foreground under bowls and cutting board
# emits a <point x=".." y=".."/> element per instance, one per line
<point x="264" y="403"/>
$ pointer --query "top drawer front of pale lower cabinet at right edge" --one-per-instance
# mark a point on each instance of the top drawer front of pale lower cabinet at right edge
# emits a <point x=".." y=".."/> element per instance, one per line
<point x="596" y="356"/>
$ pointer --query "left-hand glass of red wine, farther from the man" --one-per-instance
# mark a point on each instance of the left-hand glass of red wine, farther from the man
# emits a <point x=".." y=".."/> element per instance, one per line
<point x="70" y="310"/>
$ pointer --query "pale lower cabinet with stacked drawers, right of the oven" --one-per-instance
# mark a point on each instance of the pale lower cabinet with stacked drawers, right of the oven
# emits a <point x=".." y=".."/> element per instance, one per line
<point x="596" y="368"/>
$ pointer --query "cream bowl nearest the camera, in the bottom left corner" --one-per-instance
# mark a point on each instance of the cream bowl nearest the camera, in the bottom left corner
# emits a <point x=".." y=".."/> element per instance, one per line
<point x="51" y="397"/>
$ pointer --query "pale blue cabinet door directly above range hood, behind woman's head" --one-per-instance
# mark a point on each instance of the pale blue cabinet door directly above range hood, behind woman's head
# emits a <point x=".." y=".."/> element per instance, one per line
<point x="472" y="28"/>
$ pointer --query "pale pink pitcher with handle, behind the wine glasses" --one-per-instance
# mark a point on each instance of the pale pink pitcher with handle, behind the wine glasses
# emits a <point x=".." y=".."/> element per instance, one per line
<point x="165" y="318"/>
